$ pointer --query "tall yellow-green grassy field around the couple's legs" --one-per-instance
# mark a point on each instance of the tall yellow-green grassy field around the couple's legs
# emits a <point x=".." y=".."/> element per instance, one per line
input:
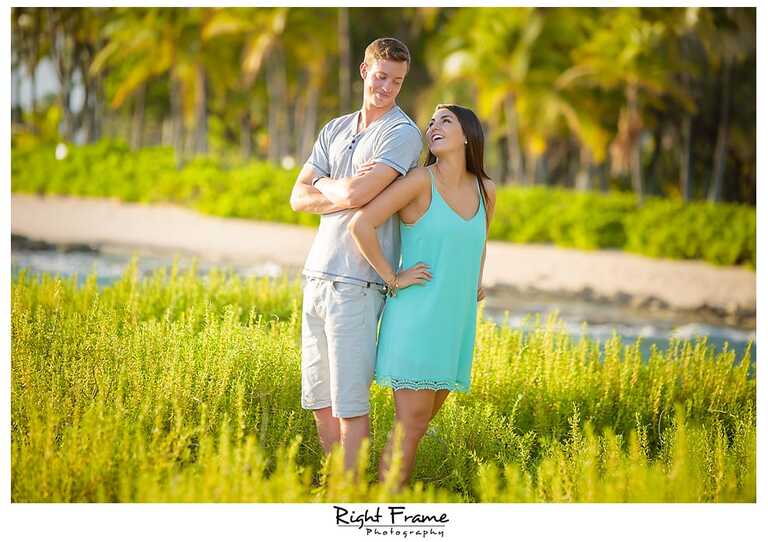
<point x="179" y="388"/>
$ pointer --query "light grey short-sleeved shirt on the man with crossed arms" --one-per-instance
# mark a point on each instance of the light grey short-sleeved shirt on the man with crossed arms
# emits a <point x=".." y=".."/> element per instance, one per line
<point x="394" y="140"/>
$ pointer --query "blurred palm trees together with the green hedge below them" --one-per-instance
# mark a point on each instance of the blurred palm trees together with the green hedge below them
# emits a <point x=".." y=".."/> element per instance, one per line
<point x="647" y="114"/>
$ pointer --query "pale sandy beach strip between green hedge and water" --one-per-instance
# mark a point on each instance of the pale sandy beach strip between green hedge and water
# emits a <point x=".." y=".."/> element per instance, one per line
<point x="610" y="276"/>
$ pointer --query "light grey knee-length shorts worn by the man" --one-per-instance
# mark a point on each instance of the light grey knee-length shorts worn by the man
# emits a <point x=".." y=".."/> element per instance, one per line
<point x="338" y="345"/>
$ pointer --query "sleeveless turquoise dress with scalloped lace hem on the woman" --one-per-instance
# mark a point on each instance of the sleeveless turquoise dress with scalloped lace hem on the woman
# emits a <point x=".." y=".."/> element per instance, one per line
<point x="427" y="331"/>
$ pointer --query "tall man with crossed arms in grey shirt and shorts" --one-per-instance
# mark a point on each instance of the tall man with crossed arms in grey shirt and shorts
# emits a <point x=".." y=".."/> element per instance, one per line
<point x="343" y="295"/>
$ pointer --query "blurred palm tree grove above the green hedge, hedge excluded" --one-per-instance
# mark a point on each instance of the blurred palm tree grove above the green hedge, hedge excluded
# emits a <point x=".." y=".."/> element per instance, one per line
<point x="660" y="101"/>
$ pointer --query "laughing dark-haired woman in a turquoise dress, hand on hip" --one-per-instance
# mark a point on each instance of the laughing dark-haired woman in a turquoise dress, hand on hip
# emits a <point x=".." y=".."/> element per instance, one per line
<point x="428" y="325"/>
